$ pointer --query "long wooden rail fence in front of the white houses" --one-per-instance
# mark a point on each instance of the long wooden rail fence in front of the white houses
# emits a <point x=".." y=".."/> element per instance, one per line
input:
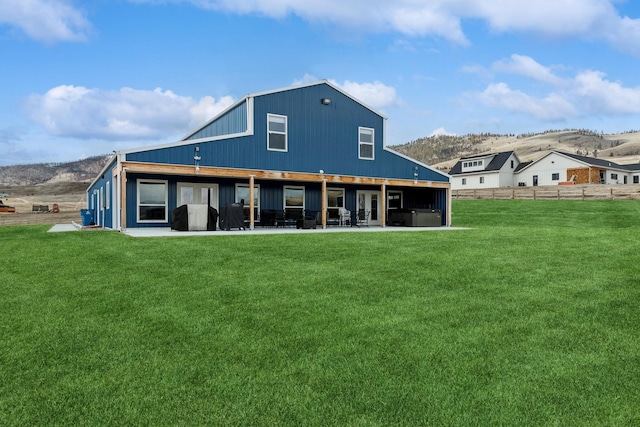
<point x="558" y="192"/>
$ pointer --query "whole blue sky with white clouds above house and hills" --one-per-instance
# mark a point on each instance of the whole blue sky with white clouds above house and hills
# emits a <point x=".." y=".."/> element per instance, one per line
<point x="81" y="78"/>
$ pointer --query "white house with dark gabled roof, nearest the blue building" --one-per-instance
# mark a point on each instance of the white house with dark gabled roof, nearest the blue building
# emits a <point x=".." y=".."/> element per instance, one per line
<point x="485" y="171"/>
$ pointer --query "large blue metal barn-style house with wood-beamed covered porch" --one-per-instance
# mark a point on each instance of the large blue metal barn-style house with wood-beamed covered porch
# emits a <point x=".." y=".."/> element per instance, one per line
<point x="307" y="148"/>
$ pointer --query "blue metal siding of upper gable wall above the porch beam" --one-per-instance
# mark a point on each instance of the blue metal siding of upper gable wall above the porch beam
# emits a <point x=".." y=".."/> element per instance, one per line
<point x="320" y="137"/>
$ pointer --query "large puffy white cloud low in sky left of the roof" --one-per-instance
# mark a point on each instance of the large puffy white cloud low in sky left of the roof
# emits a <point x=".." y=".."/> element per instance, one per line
<point x="79" y="112"/>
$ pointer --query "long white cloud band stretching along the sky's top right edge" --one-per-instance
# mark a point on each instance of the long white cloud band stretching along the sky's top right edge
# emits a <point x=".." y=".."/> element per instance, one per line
<point x="586" y="19"/>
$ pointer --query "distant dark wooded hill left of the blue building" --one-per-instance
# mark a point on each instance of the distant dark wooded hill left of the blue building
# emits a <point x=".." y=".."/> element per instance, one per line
<point x="43" y="173"/>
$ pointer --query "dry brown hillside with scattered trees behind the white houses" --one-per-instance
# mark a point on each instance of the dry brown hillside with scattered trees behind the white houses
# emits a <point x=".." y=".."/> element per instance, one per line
<point x="443" y="151"/>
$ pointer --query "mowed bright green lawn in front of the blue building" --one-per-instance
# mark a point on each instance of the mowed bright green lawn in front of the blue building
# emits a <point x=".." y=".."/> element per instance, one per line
<point x="529" y="318"/>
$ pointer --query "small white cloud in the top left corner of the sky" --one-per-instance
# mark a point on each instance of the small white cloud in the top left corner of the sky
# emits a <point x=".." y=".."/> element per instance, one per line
<point x="45" y="20"/>
